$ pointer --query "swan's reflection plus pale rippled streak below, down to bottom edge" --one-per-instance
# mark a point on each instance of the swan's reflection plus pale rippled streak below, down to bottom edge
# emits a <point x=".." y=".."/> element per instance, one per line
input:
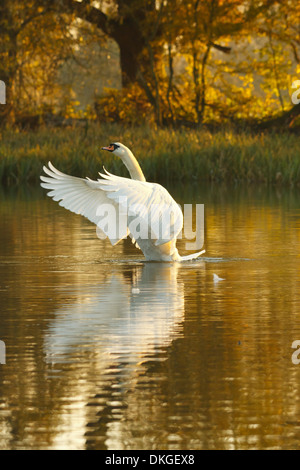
<point x="104" y="342"/>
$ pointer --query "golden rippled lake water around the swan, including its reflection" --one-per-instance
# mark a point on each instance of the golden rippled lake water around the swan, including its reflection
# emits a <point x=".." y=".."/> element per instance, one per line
<point x="105" y="351"/>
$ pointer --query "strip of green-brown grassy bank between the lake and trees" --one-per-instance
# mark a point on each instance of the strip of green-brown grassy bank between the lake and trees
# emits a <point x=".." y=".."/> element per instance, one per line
<point x="165" y="155"/>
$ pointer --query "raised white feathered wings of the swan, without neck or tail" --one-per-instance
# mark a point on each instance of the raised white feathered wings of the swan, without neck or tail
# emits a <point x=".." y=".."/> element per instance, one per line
<point x="155" y="209"/>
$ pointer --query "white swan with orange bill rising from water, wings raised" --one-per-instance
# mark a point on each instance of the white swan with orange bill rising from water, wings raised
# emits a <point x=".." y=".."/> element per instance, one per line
<point x="134" y="196"/>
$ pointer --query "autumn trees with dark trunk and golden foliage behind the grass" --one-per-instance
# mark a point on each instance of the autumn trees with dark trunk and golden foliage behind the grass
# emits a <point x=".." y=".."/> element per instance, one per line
<point x="172" y="62"/>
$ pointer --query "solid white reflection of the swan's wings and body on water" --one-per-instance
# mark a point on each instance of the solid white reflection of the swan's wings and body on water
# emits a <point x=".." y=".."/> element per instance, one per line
<point x="132" y="314"/>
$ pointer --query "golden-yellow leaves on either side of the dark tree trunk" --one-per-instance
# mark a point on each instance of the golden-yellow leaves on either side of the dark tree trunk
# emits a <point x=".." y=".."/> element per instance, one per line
<point x="245" y="83"/>
